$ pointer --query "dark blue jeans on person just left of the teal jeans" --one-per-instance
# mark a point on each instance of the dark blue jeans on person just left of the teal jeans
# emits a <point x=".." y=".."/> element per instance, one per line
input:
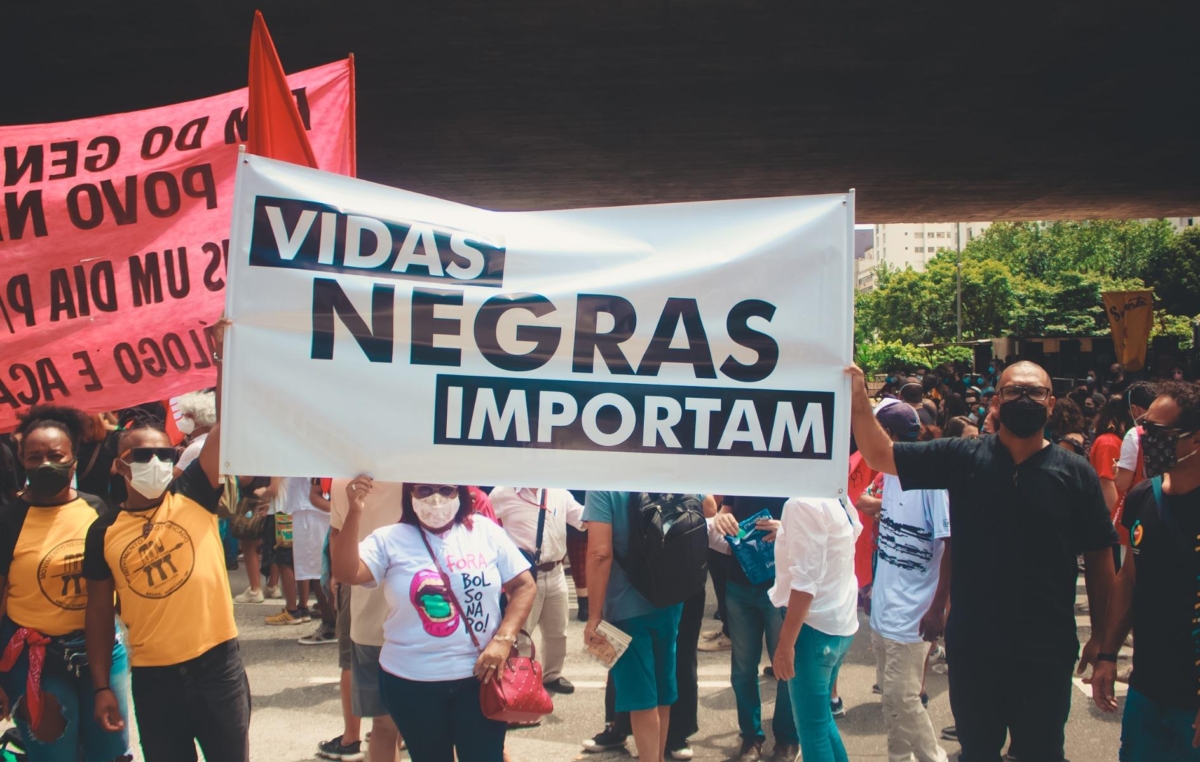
<point x="752" y="616"/>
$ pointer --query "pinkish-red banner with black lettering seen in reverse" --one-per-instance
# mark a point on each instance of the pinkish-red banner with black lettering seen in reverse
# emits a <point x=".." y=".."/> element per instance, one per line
<point x="115" y="233"/>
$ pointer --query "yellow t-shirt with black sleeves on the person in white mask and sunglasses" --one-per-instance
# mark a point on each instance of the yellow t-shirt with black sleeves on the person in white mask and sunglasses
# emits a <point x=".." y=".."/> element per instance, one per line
<point x="172" y="583"/>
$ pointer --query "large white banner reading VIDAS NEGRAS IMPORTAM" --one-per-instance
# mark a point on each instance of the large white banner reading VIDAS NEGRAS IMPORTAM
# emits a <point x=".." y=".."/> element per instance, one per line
<point x="671" y="349"/>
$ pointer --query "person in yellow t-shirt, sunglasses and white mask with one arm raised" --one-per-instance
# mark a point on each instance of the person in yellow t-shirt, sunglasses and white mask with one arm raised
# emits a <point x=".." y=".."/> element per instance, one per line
<point x="163" y="555"/>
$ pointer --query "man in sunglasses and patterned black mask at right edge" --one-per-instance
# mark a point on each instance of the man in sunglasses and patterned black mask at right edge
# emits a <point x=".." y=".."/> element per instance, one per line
<point x="1159" y="590"/>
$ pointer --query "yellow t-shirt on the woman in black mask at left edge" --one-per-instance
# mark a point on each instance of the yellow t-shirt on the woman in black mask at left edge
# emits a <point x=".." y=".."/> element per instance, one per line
<point x="41" y="554"/>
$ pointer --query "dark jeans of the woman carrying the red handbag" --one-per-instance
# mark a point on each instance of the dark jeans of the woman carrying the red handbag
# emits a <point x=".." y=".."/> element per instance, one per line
<point x="439" y="719"/>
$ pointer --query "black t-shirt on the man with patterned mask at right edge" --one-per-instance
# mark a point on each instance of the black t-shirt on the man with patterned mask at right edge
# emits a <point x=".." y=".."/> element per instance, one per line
<point x="1165" y="596"/>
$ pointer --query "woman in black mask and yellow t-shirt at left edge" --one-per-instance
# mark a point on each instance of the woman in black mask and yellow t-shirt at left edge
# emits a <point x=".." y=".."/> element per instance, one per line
<point x="41" y="550"/>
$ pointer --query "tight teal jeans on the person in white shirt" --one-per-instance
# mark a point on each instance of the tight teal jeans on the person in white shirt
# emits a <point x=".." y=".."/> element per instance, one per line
<point x="818" y="661"/>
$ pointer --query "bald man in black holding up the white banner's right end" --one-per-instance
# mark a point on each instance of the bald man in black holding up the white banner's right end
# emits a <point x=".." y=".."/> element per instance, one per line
<point x="1021" y="513"/>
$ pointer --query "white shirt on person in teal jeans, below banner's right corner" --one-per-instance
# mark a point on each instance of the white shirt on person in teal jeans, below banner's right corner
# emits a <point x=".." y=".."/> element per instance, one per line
<point x="815" y="554"/>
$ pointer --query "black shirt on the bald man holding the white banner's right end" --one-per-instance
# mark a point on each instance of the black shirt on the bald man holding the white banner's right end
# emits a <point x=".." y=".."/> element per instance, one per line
<point x="1017" y="533"/>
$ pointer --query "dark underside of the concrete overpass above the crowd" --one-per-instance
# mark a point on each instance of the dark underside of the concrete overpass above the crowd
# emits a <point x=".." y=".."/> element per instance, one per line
<point x="933" y="111"/>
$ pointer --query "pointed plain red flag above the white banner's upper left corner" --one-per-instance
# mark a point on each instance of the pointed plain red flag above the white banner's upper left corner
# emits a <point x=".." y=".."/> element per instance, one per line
<point x="274" y="125"/>
